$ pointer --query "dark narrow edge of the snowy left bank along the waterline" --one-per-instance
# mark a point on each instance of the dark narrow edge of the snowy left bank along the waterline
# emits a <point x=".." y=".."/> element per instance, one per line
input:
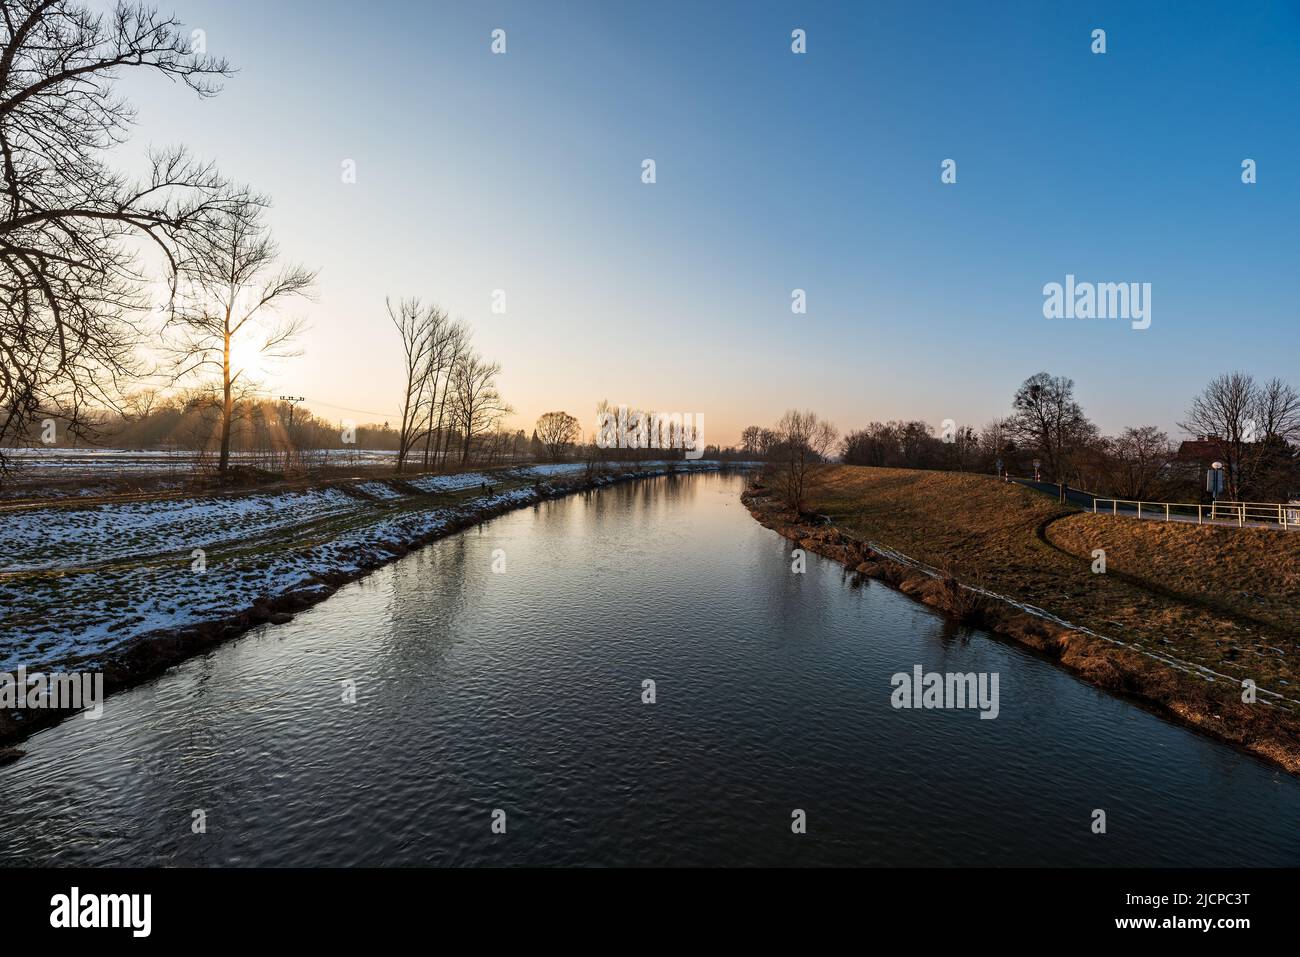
<point x="149" y="656"/>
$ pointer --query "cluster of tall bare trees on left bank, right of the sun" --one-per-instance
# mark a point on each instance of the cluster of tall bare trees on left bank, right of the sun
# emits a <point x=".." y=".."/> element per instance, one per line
<point x="450" y="396"/>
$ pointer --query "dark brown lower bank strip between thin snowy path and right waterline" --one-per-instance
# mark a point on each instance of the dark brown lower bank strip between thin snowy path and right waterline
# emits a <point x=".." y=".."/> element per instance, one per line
<point x="1266" y="731"/>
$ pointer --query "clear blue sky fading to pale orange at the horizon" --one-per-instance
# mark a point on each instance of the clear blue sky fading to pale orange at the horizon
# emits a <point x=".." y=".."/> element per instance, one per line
<point x="775" y="171"/>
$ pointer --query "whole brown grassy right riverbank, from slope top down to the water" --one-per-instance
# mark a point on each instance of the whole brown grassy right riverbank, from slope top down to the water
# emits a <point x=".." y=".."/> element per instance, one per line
<point x="1181" y="617"/>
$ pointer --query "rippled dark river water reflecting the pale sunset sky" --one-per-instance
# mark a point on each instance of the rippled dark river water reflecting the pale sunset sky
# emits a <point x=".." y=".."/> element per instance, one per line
<point x="521" y="691"/>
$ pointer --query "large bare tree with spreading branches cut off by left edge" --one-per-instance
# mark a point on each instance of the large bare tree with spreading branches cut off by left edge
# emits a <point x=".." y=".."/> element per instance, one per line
<point x="72" y="282"/>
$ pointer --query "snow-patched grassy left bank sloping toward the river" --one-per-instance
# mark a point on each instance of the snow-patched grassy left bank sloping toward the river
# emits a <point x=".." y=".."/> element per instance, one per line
<point x="84" y="581"/>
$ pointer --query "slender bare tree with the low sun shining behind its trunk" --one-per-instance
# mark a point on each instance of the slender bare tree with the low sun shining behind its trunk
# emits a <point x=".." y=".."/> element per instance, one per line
<point x="233" y="291"/>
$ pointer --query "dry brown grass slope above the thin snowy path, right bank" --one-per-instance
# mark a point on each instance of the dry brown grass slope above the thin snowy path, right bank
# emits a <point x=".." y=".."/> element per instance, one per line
<point x="1220" y="597"/>
